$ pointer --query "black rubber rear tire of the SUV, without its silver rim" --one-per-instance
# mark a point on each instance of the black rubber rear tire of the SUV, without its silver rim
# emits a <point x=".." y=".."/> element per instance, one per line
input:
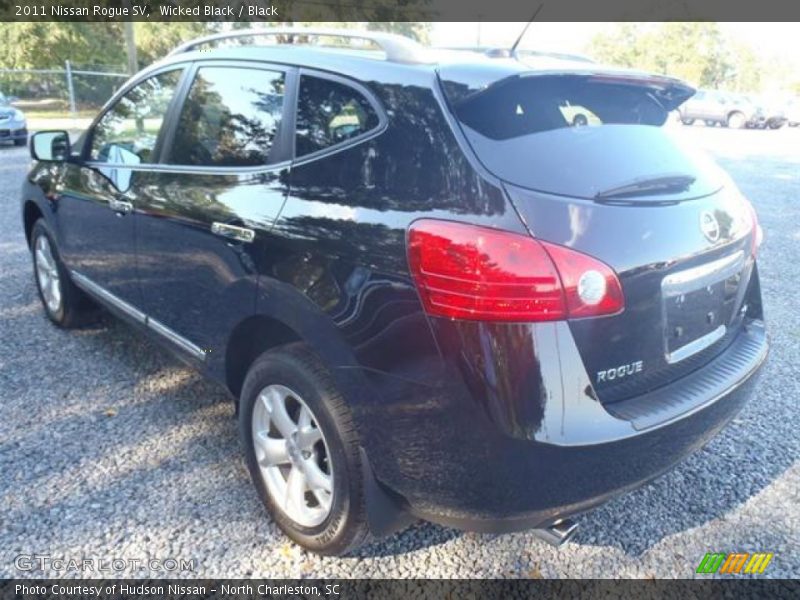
<point x="296" y="367"/>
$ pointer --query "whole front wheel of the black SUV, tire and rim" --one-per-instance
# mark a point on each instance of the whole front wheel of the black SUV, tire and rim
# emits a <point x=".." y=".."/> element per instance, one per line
<point x="64" y="304"/>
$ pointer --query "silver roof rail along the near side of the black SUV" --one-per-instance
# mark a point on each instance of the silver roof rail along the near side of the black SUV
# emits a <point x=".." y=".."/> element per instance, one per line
<point x="396" y="47"/>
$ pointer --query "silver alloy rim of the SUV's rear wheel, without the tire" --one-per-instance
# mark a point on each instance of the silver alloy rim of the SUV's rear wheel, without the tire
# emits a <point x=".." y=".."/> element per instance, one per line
<point x="292" y="455"/>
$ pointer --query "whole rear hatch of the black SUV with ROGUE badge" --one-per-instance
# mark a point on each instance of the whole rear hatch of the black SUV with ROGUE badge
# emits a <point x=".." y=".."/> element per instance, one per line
<point x="588" y="163"/>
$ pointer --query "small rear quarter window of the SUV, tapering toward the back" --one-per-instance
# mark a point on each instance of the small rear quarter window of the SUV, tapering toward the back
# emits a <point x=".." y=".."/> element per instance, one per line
<point x="328" y="113"/>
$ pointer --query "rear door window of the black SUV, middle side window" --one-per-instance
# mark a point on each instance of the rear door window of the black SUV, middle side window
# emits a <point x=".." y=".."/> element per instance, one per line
<point x="230" y="118"/>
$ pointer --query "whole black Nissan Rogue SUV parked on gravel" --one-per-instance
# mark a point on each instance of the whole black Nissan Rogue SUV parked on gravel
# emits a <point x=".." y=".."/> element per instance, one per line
<point x="431" y="295"/>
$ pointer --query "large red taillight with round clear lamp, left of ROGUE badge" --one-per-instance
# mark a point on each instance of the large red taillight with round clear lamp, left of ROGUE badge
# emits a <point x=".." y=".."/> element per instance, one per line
<point x="469" y="272"/>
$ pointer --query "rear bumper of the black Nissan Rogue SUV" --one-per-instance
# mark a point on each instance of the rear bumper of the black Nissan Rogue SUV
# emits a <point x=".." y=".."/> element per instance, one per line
<point x="454" y="466"/>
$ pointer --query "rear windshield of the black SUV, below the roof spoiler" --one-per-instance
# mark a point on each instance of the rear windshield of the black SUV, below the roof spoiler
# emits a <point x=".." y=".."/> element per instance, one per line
<point x="580" y="136"/>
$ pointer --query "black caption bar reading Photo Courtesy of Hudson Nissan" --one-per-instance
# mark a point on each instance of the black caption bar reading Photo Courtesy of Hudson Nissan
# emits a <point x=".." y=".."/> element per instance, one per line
<point x="259" y="589"/>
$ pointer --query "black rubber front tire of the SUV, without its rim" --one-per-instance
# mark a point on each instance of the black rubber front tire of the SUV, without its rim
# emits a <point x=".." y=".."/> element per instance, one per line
<point x="75" y="308"/>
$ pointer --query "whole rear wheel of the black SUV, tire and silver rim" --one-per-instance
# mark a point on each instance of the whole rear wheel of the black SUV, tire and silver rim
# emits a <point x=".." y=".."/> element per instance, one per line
<point x="302" y="450"/>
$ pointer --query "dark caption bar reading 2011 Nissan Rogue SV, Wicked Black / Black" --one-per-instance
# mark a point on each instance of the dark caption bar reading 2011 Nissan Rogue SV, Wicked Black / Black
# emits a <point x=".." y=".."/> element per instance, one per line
<point x="397" y="10"/>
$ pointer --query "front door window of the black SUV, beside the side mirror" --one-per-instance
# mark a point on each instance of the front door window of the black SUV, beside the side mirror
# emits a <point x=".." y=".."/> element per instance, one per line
<point x="127" y="133"/>
